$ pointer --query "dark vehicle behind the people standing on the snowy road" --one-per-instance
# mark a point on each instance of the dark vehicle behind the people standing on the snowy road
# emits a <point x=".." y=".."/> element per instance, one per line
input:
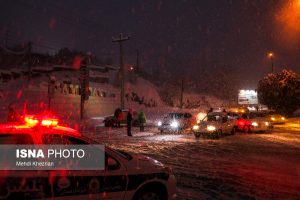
<point x="112" y="121"/>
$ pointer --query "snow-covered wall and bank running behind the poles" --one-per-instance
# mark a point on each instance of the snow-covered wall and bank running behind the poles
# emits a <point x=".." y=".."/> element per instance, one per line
<point x="66" y="101"/>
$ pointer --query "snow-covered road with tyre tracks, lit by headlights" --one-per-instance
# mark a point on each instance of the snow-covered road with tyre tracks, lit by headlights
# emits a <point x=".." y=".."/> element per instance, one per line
<point x="243" y="166"/>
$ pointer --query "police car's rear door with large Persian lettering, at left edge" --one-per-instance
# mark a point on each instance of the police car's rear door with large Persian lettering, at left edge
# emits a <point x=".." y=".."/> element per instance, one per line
<point x="22" y="184"/>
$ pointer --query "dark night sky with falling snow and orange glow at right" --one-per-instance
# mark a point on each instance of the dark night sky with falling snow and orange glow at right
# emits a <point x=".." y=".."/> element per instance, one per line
<point x="175" y="35"/>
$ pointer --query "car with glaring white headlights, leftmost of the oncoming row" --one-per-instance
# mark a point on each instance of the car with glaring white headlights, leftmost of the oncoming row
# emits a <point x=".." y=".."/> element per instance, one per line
<point x="176" y="122"/>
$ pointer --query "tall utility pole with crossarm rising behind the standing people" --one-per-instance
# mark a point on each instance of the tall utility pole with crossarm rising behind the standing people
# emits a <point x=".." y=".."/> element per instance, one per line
<point x="121" y="39"/>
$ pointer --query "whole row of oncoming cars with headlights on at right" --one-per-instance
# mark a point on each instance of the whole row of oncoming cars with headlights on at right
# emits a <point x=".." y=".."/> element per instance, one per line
<point x="218" y="123"/>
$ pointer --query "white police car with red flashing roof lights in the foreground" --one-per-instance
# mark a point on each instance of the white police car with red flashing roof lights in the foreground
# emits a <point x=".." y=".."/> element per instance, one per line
<point x="126" y="176"/>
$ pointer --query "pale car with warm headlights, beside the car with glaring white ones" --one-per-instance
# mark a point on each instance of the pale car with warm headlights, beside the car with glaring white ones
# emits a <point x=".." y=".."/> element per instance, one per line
<point x="214" y="125"/>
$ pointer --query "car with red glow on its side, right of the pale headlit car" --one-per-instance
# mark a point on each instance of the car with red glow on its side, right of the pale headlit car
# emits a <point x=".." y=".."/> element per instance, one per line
<point x="253" y="122"/>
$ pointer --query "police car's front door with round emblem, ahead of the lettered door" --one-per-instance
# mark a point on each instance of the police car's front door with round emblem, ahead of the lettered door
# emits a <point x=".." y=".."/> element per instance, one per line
<point x="109" y="183"/>
